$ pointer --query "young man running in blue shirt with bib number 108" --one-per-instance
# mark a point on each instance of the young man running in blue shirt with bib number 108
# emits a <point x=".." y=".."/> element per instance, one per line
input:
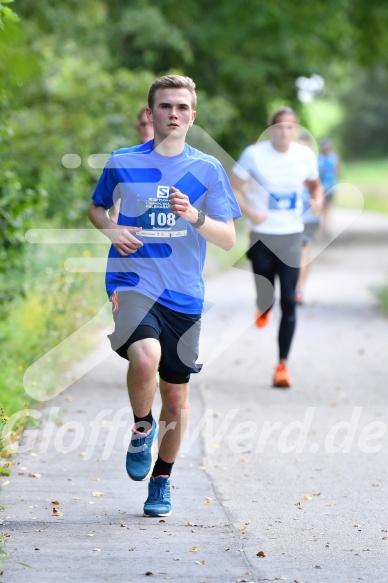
<point x="174" y="199"/>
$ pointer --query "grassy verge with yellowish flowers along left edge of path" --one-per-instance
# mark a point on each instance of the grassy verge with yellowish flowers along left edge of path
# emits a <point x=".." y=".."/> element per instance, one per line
<point x="57" y="303"/>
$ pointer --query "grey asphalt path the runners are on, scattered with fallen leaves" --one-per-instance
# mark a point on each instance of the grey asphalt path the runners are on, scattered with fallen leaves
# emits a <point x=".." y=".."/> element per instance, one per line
<point x="270" y="484"/>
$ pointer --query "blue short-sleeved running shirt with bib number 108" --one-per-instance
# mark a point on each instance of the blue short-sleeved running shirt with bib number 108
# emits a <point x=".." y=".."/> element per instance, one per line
<point x="168" y="268"/>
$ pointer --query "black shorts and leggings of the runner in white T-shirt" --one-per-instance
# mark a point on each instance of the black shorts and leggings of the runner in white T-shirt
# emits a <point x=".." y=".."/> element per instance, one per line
<point x="273" y="255"/>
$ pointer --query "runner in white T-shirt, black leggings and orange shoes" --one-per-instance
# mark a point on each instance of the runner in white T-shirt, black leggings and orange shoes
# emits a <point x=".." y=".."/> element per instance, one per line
<point x="268" y="182"/>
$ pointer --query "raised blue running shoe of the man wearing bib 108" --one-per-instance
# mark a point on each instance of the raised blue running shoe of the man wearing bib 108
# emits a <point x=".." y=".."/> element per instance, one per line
<point x="139" y="454"/>
